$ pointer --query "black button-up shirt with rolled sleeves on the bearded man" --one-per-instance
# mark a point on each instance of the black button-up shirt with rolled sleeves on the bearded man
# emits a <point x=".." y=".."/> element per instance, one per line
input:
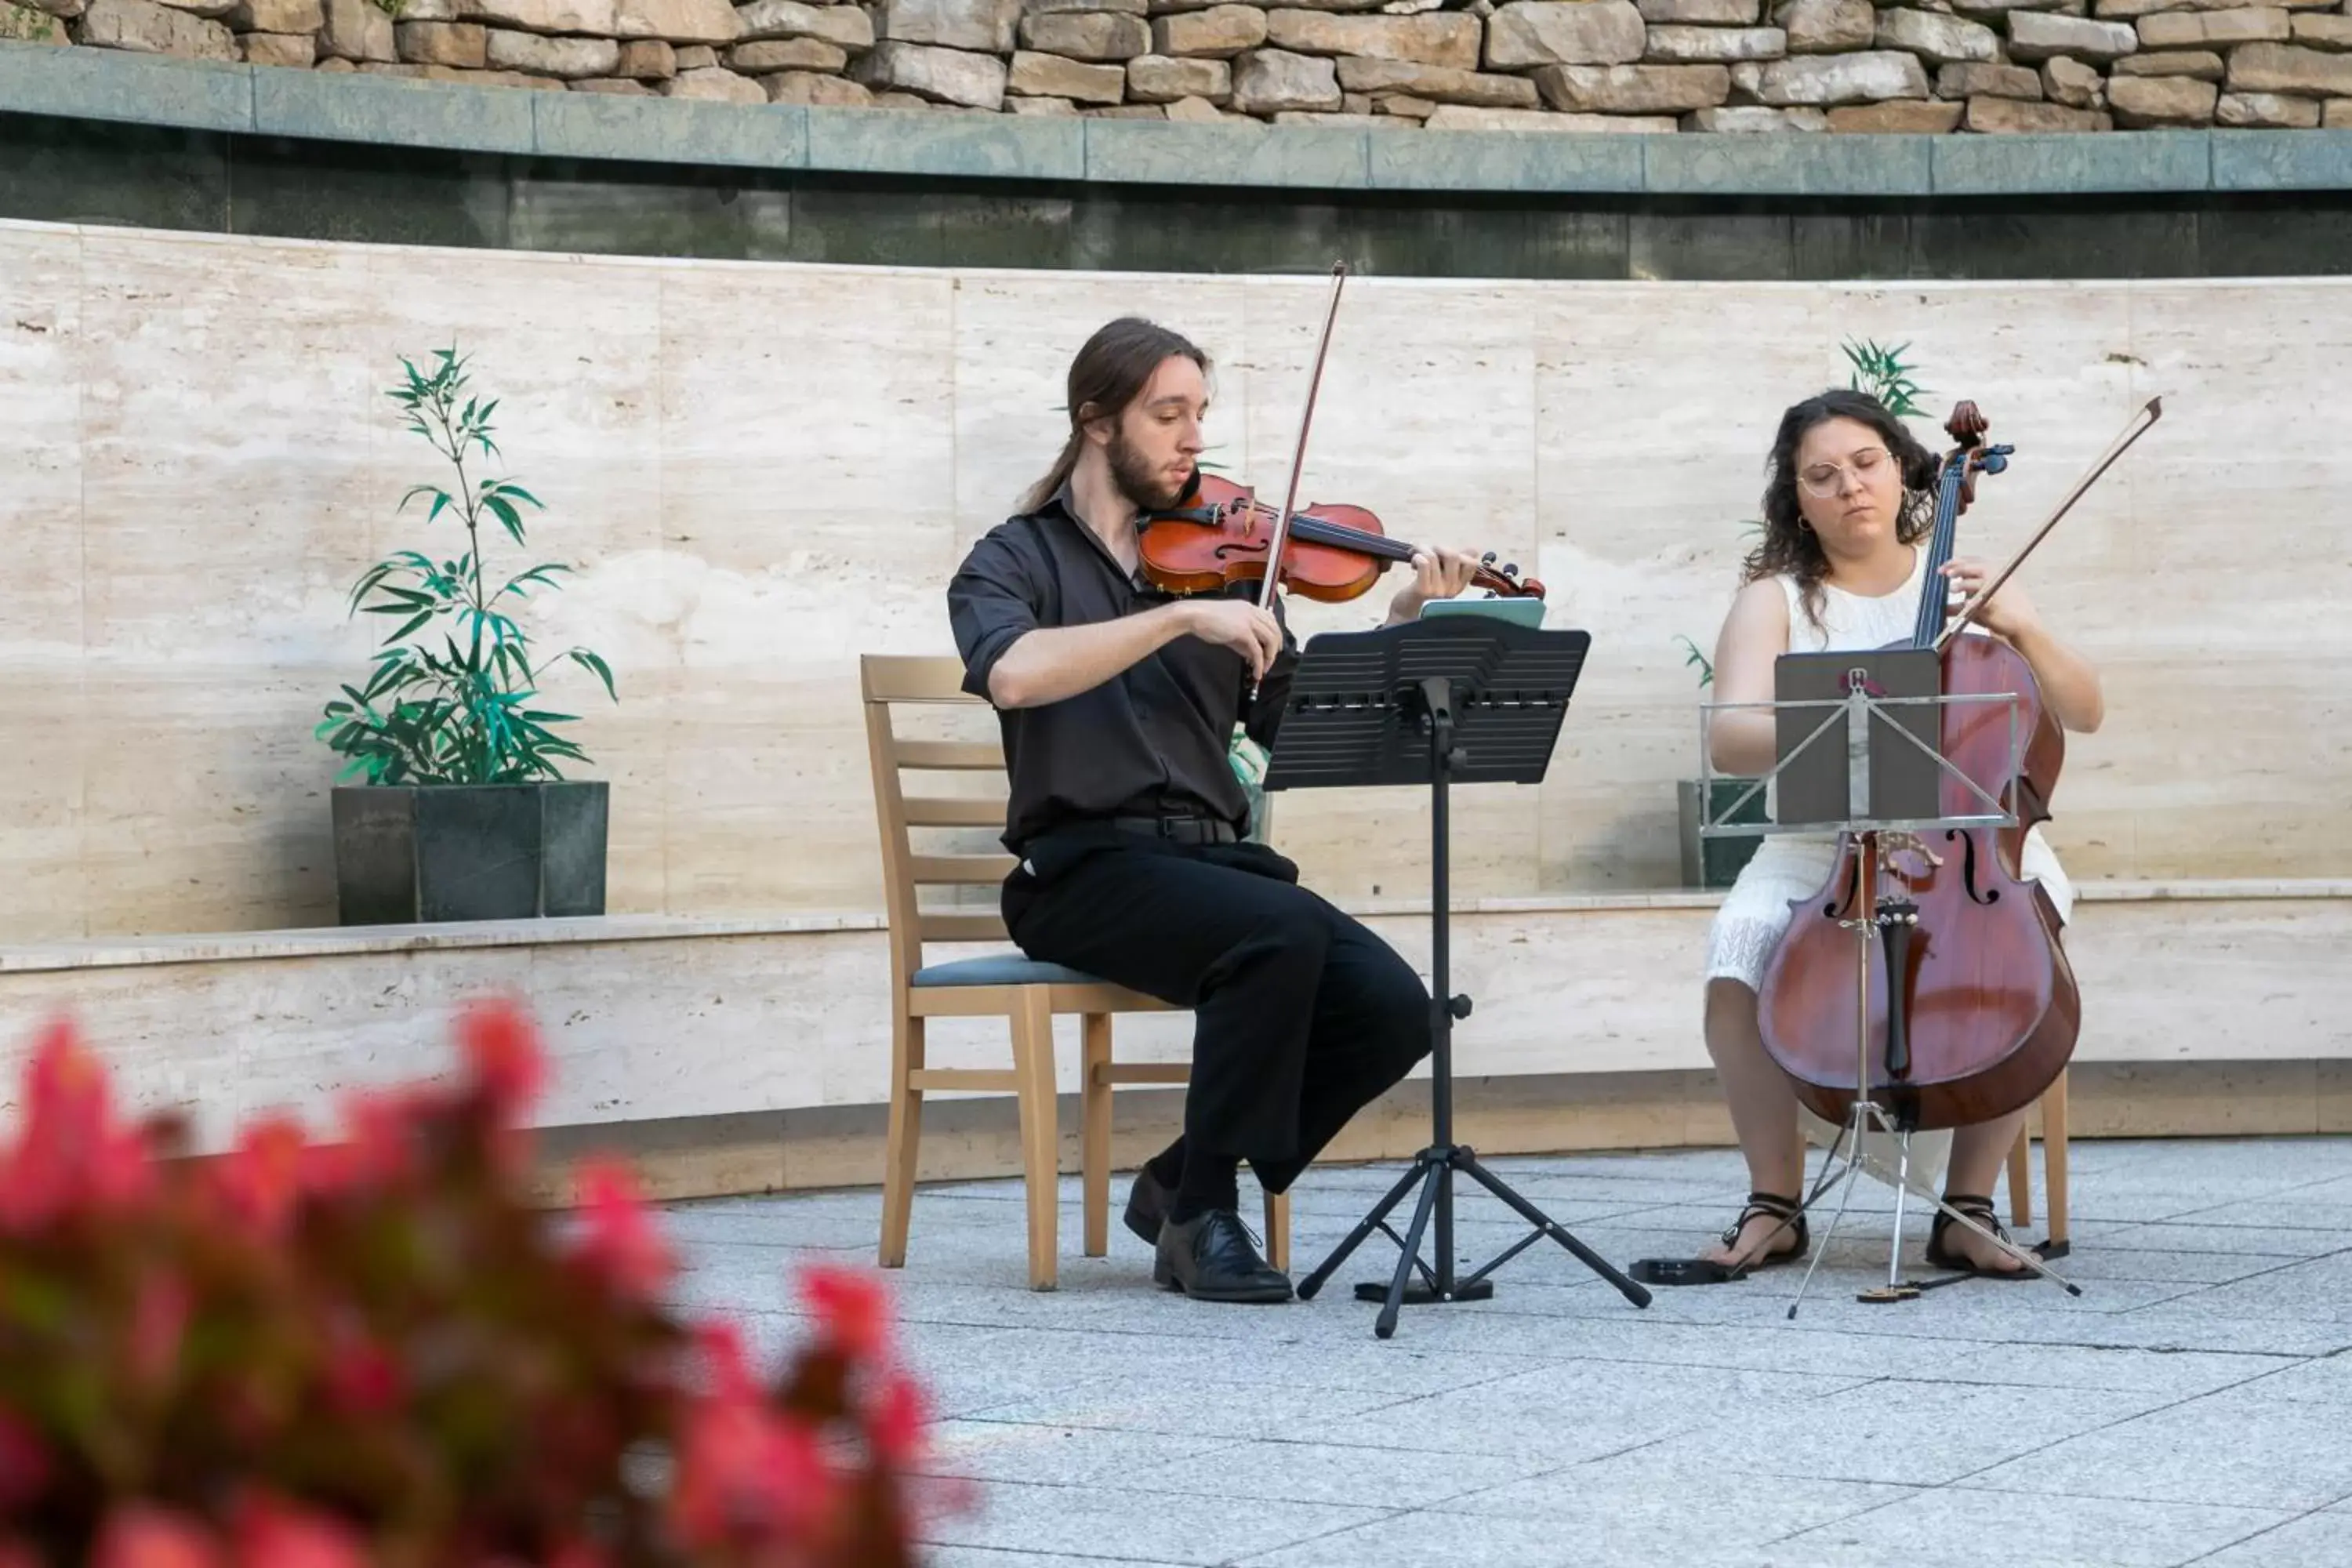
<point x="1149" y="742"/>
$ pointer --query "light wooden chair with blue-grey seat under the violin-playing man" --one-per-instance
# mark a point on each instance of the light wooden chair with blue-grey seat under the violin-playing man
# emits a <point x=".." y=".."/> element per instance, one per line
<point x="1008" y="986"/>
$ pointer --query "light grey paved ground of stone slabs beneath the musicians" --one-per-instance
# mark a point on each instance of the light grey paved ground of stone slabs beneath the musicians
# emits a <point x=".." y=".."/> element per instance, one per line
<point x="2193" y="1407"/>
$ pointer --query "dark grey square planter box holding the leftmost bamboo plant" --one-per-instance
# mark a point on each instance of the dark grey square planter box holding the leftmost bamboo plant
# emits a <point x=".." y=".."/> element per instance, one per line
<point x="410" y="855"/>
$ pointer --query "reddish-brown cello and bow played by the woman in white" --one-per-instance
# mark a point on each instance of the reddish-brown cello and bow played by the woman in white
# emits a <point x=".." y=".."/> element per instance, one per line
<point x="1975" y="1007"/>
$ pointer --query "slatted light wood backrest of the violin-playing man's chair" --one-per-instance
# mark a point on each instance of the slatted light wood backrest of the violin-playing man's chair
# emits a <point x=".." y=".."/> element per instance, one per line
<point x="893" y="681"/>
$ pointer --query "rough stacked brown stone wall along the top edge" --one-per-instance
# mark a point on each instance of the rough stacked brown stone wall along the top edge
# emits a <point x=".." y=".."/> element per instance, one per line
<point x="1546" y="65"/>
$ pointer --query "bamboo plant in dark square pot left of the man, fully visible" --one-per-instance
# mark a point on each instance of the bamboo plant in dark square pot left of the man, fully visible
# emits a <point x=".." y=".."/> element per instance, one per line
<point x="462" y="810"/>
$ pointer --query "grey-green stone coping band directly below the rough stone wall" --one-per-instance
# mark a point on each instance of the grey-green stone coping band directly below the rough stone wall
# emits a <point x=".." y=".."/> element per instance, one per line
<point x="406" y="114"/>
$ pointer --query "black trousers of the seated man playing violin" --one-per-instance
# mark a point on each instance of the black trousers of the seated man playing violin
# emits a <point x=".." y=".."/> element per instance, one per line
<point x="1302" y="1014"/>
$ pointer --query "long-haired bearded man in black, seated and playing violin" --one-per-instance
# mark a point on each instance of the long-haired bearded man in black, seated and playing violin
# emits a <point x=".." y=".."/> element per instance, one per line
<point x="1118" y="709"/>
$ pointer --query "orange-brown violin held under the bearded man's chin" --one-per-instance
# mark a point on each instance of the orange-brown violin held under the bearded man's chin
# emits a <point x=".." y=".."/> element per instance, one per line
<point x="1220" y="535"/>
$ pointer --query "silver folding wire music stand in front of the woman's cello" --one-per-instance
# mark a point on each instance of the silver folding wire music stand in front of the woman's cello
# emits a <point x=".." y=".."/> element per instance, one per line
<point x="1859" y="751"/>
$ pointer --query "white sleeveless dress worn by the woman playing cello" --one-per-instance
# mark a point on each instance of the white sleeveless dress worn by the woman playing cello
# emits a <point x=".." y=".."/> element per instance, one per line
<point x="1793" y="866"/>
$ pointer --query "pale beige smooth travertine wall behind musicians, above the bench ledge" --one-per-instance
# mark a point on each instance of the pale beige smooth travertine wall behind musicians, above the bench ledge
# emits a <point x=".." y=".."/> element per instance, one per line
<point x="766" y="471"/>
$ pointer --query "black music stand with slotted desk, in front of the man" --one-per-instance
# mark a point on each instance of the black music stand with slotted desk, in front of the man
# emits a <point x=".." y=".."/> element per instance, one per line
<point x="1452" y="699"/>
